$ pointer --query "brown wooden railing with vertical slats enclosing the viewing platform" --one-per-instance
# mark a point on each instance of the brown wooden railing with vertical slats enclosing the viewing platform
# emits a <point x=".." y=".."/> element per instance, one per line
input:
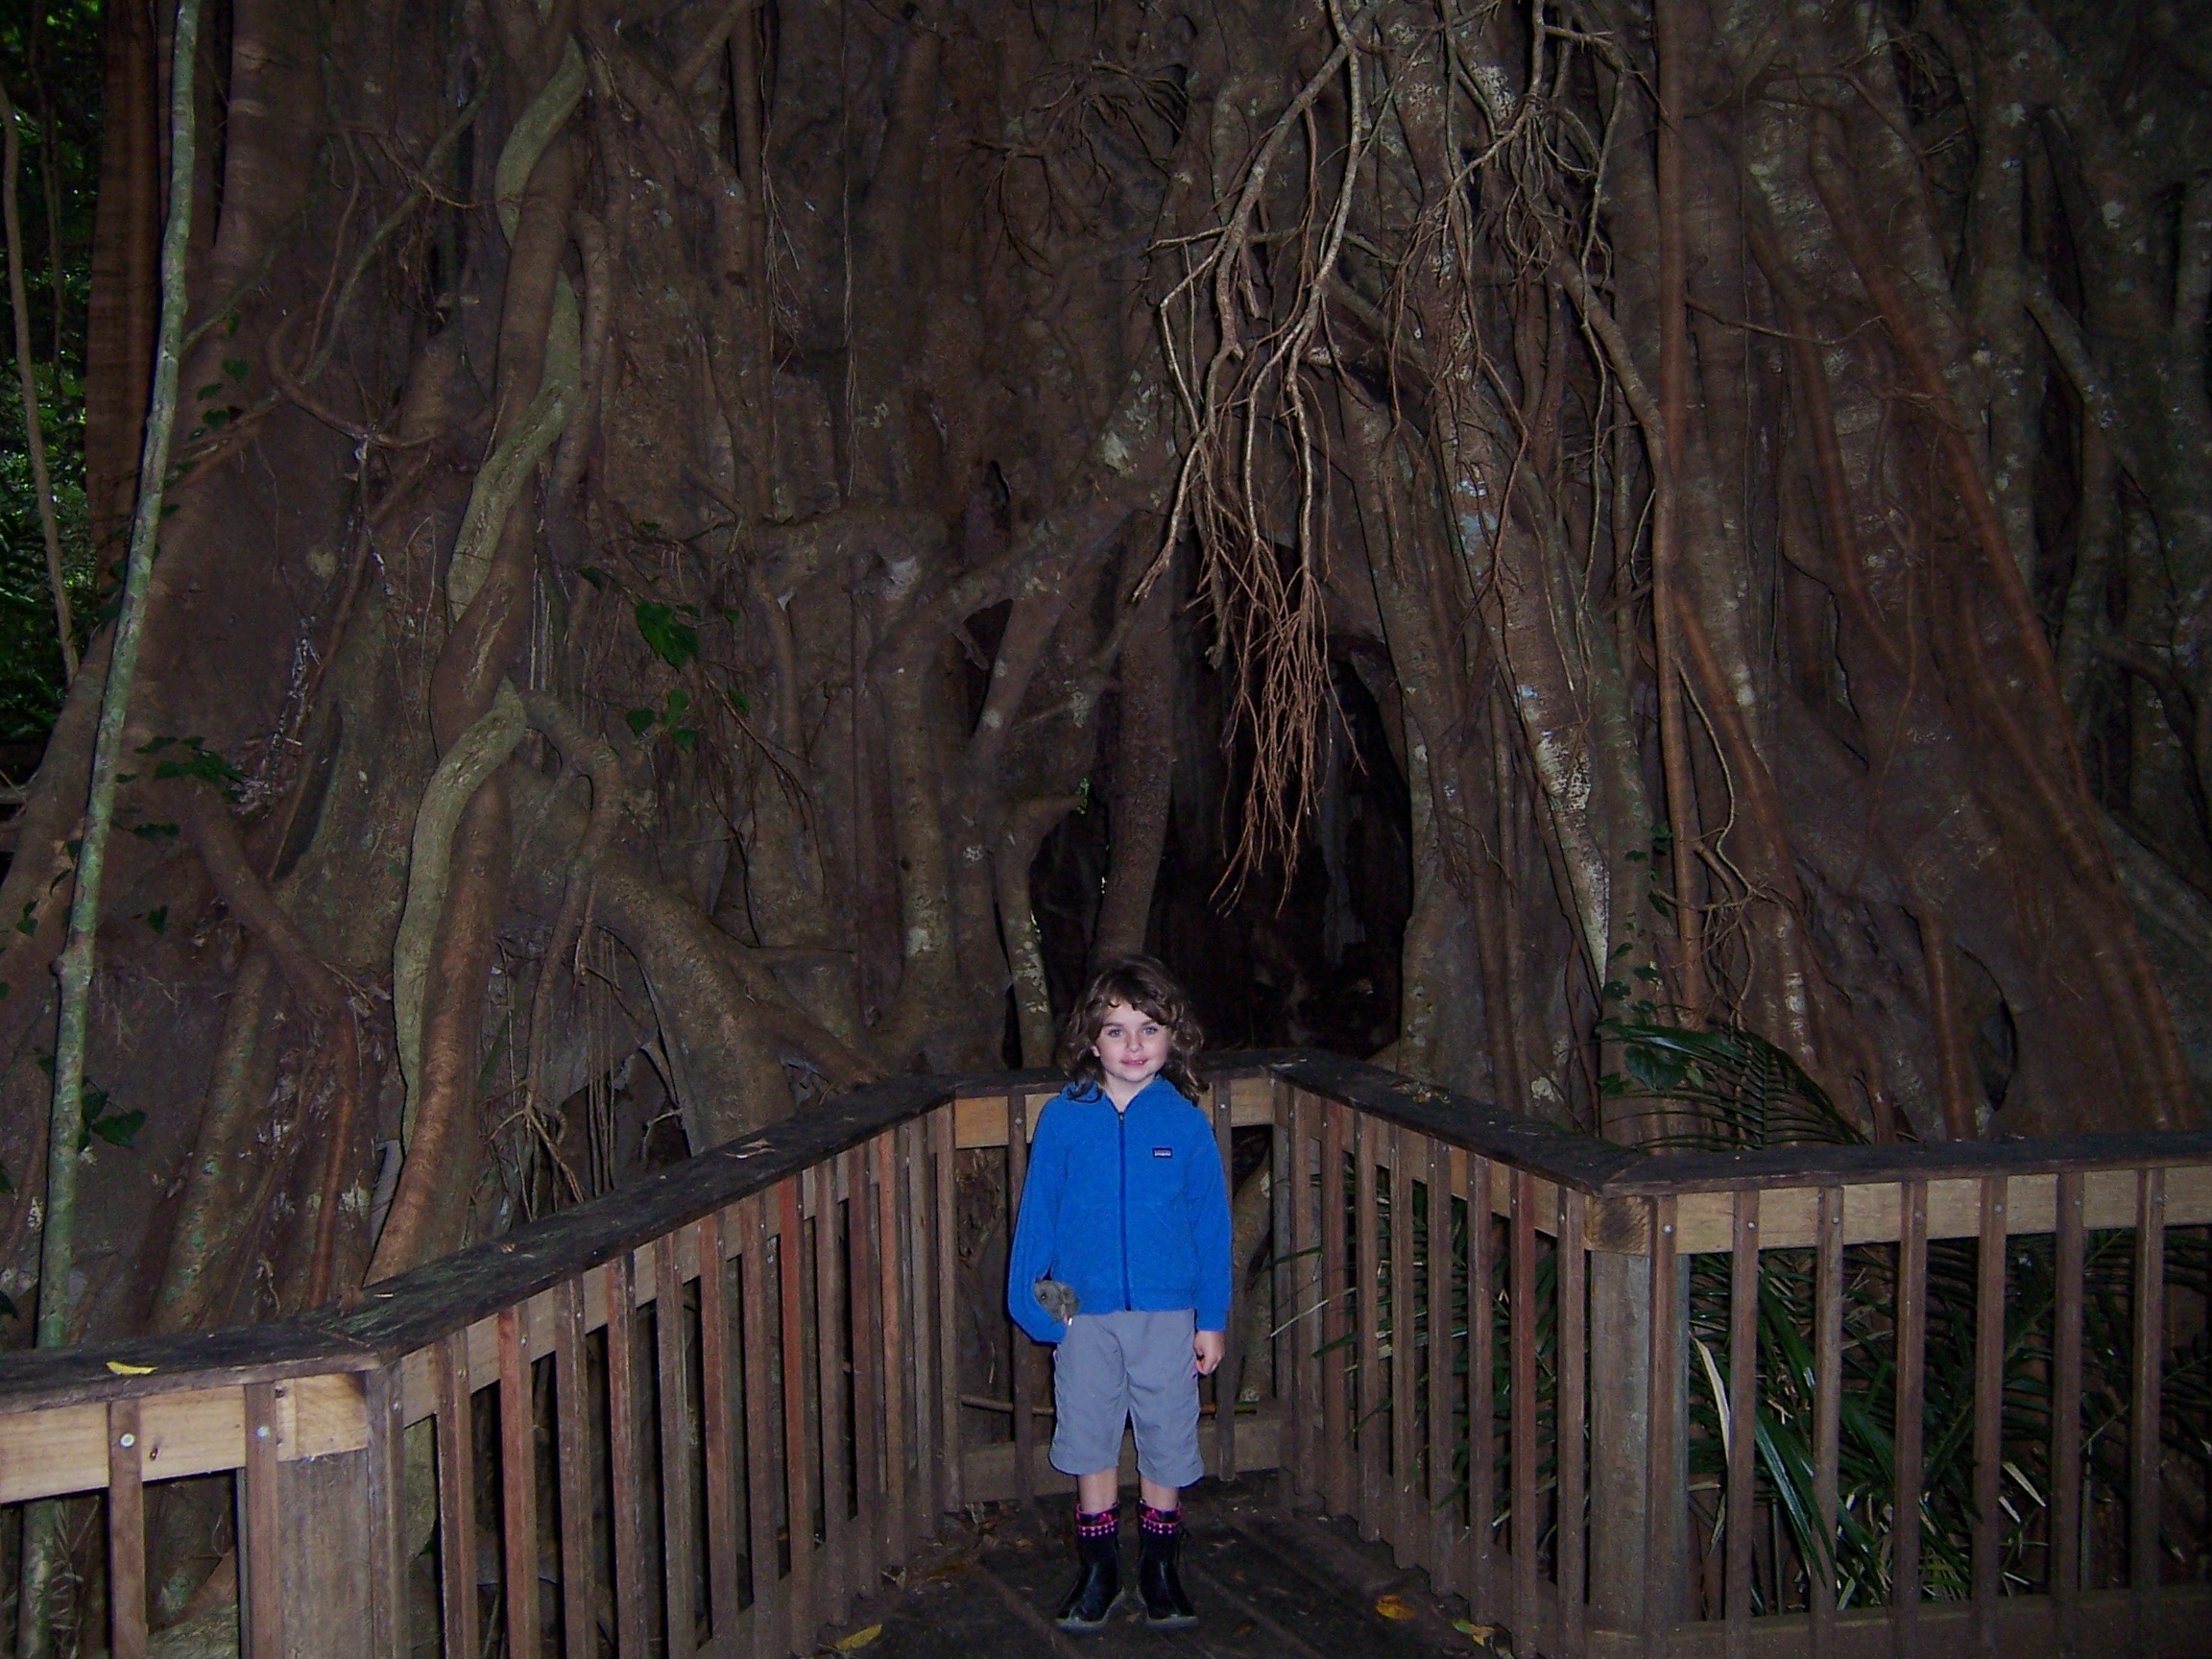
<point x="700" y="1417"/>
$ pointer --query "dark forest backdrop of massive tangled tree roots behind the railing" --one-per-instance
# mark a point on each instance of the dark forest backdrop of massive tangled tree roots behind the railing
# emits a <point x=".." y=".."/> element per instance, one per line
<point x="722" y="550"/>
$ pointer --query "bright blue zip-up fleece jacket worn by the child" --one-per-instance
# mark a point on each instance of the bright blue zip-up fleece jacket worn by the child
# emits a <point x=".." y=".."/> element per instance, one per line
<point x="1129" y="1209"/>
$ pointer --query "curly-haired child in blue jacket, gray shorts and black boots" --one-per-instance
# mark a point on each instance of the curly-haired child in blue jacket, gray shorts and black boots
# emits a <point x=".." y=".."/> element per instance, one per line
<point x="1127" y="1215"/>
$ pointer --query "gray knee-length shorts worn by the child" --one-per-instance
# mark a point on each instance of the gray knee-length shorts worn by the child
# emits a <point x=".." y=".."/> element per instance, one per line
<point x="1118" y="1368"/>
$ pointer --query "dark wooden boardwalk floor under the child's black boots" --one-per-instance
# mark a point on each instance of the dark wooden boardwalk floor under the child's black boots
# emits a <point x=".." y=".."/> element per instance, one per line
<point x="1269" y="1585"/>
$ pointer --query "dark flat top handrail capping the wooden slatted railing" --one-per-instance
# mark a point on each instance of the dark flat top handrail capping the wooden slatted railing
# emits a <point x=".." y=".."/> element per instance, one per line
<point x="441" y="1297"/>
